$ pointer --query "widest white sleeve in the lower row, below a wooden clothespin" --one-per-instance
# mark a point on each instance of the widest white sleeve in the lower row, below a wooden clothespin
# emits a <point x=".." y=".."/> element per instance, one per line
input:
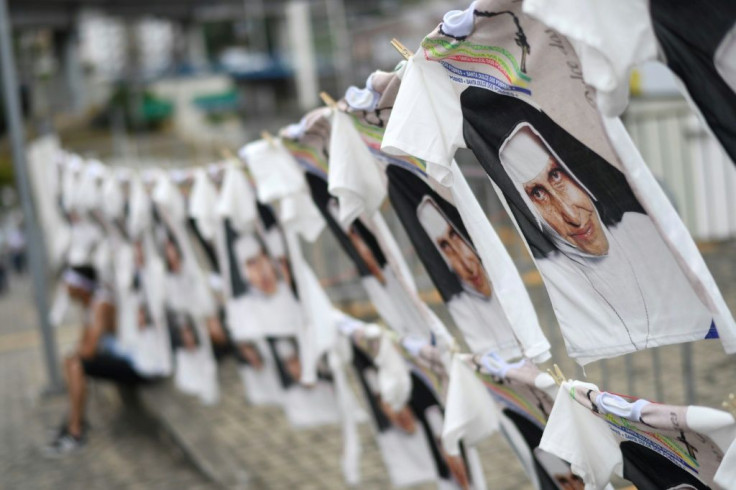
<point x="576" y="435"/>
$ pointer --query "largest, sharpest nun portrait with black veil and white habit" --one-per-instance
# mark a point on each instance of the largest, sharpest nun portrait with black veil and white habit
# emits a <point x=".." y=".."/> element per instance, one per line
<point x="615" y="285"/>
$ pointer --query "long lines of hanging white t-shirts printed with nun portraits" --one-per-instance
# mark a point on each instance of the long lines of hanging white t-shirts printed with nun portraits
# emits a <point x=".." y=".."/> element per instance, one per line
<point x="195" y="256"/>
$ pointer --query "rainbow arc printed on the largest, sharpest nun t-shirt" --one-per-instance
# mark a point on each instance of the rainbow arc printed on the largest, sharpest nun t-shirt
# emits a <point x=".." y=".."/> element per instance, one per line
<point x="510" y="79"/>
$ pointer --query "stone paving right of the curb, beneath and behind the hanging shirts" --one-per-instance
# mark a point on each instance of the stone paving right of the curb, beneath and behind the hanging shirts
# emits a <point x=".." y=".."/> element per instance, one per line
<point x="242" y="445"/>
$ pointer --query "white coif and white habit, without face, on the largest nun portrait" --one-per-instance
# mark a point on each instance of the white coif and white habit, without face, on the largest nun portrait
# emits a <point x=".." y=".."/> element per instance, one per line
<point x="629" y="297"/>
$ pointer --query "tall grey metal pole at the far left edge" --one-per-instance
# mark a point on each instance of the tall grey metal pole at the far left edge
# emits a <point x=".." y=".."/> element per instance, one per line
<point x="36" y="247"/>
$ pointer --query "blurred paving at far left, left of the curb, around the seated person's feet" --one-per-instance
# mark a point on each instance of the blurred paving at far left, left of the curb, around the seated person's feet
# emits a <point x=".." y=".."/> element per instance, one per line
<point x="125" y="450"/>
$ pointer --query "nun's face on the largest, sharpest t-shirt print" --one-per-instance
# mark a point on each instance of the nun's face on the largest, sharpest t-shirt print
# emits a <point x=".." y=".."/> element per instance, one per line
<point x="567" y="208"/>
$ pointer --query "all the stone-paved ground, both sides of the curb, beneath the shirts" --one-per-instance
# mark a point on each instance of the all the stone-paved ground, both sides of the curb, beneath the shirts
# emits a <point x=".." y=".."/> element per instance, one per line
<point x="240" y="446"/>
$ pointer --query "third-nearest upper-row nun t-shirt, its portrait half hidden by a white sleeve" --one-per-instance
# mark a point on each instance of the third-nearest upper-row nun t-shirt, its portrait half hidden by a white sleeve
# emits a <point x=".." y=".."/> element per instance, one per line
<point x="363" y="241"/>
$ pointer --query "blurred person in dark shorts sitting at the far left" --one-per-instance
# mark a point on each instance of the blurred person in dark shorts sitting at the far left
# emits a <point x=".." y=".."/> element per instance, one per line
<point x="97" y="355"/>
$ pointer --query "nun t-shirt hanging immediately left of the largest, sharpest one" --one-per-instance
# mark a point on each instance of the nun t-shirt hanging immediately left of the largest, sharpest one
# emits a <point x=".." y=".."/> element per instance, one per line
<point x="354" y="177"/>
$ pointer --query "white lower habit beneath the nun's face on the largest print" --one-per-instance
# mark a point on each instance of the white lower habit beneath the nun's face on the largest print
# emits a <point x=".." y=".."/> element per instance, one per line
<point x="611" y="305"/>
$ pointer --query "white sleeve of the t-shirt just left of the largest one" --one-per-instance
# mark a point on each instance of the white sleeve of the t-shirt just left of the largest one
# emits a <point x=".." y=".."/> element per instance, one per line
<point x="353" y="178"/>
